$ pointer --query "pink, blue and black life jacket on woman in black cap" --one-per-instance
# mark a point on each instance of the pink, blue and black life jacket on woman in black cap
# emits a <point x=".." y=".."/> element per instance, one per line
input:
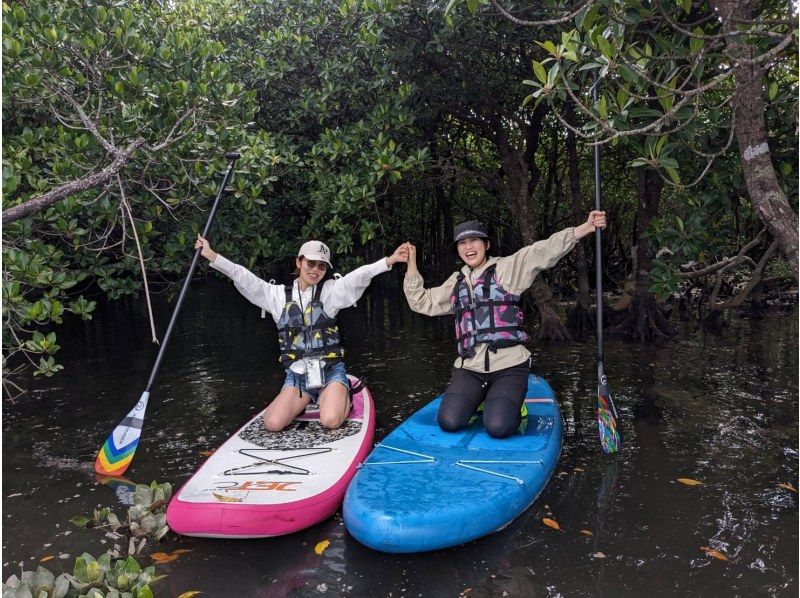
<point x="492" y="315"/>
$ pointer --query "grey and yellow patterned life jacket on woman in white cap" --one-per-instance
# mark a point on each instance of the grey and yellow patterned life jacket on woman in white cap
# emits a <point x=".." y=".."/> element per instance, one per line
<point x="310" y="334"/>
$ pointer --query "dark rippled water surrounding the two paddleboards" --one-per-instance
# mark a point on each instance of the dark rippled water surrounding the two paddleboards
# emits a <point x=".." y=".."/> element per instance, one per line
<point x="723" y="411"/>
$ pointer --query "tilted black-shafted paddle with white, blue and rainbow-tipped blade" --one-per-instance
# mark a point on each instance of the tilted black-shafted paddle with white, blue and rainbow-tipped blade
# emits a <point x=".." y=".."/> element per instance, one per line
<point x="118" y="450"/>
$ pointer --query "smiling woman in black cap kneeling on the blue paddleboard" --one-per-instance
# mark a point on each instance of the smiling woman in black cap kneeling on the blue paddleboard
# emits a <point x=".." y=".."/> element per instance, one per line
<point x="484" y="298"/>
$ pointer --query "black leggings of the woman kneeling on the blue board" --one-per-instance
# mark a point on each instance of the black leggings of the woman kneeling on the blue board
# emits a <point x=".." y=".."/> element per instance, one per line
<point x="503" y="391"/>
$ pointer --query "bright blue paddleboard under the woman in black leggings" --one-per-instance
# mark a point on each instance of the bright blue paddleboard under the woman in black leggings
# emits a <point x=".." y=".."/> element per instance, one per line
<point x="424" y="489"/>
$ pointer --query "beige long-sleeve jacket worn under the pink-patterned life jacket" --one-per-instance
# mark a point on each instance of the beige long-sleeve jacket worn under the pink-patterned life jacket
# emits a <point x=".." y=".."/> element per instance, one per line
<point x="515" y="273"/>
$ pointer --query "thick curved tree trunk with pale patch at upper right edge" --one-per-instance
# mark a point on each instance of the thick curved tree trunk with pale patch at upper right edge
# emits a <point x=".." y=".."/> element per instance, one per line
<point x="765" y="192"/>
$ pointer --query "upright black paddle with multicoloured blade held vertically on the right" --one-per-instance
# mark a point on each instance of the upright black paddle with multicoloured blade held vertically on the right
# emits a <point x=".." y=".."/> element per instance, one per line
<point x="607" y="420"/>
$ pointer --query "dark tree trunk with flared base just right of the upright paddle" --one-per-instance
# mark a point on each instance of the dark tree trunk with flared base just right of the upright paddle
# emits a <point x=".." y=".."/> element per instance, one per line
<point x="644" y="320"/>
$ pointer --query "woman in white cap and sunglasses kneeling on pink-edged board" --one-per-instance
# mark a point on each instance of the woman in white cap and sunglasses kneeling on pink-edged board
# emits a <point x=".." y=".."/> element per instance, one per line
<point x="308" y="336"/>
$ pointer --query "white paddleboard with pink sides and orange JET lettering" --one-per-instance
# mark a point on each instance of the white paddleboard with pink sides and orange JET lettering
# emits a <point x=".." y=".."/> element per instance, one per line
<point x="260" y="484"/>
